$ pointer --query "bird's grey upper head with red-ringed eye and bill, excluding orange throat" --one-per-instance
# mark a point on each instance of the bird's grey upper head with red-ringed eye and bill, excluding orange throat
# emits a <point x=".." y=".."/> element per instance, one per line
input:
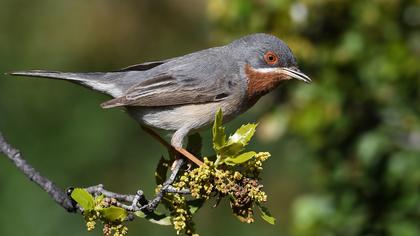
<point x="267" y="54"/>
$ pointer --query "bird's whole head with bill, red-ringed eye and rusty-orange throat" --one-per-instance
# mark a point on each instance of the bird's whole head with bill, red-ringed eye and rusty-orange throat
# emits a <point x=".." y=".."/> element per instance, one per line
<point x="268" y="61"/>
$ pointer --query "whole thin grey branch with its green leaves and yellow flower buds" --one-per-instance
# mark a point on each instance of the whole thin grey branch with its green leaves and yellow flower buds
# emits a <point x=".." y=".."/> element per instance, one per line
<point x="235" y="174"/>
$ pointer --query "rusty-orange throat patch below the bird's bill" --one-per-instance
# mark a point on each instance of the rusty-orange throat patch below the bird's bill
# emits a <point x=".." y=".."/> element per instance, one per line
<point x="261" y="83"/>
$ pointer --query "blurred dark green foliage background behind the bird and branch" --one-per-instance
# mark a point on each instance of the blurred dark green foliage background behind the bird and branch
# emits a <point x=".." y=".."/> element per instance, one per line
<point x="346" y="148"/>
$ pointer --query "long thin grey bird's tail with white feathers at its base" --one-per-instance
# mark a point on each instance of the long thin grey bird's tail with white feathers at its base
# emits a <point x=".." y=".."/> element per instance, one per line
<point x="105" y="82"/>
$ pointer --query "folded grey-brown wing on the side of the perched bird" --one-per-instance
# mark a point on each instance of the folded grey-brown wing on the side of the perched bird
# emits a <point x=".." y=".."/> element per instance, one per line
<point x="184" y="81"/>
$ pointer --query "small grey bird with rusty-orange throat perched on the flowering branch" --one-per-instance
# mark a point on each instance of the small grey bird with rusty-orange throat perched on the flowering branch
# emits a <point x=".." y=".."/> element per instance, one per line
<point x="183" y="94"/>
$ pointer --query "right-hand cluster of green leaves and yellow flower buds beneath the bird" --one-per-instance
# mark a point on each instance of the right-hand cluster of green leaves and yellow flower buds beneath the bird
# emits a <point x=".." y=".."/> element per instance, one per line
<point x="234" y="174"/>
